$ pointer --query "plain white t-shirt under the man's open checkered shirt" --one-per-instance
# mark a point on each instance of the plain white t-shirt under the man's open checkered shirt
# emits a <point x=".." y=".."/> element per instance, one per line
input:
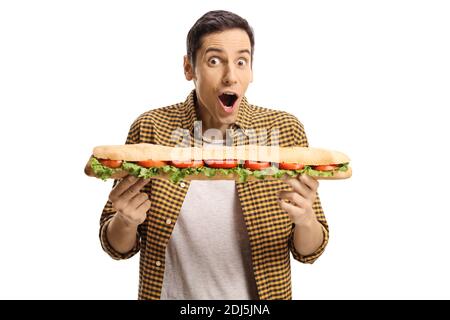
<point x="208" y="255"/>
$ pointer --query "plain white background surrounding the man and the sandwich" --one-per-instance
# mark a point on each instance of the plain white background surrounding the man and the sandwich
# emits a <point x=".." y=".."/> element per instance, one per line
<point x="370" y="78"/>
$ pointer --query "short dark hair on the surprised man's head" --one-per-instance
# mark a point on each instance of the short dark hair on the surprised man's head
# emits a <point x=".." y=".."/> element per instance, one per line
<point x="212" y="22"/>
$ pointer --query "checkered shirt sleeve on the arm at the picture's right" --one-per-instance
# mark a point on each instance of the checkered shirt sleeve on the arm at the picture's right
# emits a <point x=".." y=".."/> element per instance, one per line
<point x="301" y="140"/>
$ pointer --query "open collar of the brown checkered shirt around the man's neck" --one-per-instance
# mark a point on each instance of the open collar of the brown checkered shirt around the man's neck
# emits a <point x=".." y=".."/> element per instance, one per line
<point x="243" y="121"/>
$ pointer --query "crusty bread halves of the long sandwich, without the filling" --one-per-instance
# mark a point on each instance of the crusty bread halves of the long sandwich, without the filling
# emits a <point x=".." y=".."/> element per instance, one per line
<point x="310" y="157"/>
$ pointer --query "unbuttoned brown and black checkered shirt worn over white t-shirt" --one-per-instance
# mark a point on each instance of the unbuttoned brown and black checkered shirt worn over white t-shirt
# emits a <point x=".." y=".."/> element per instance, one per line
<point x="269" y="228"/>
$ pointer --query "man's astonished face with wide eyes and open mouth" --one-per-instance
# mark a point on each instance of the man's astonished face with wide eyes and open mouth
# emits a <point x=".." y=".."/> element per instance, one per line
<point x="221" y="76"/>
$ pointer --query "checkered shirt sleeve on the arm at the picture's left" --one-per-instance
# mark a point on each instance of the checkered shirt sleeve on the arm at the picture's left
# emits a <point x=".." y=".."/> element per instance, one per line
<point x="108" y="211"/>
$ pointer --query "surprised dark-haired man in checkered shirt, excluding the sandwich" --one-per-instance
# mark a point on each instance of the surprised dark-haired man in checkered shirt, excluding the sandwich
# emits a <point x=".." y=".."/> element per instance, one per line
<point x="215" y="239"/>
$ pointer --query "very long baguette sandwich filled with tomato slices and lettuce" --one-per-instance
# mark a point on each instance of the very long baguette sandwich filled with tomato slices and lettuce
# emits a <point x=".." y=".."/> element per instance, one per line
<point x="240" y="163"/>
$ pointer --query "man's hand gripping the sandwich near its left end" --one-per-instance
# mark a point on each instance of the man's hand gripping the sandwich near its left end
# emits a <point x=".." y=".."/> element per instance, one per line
<point x="130" y="203"/>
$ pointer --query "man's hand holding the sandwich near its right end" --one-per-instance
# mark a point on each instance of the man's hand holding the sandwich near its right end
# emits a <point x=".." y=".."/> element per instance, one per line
<point x="302" y="199"/>
